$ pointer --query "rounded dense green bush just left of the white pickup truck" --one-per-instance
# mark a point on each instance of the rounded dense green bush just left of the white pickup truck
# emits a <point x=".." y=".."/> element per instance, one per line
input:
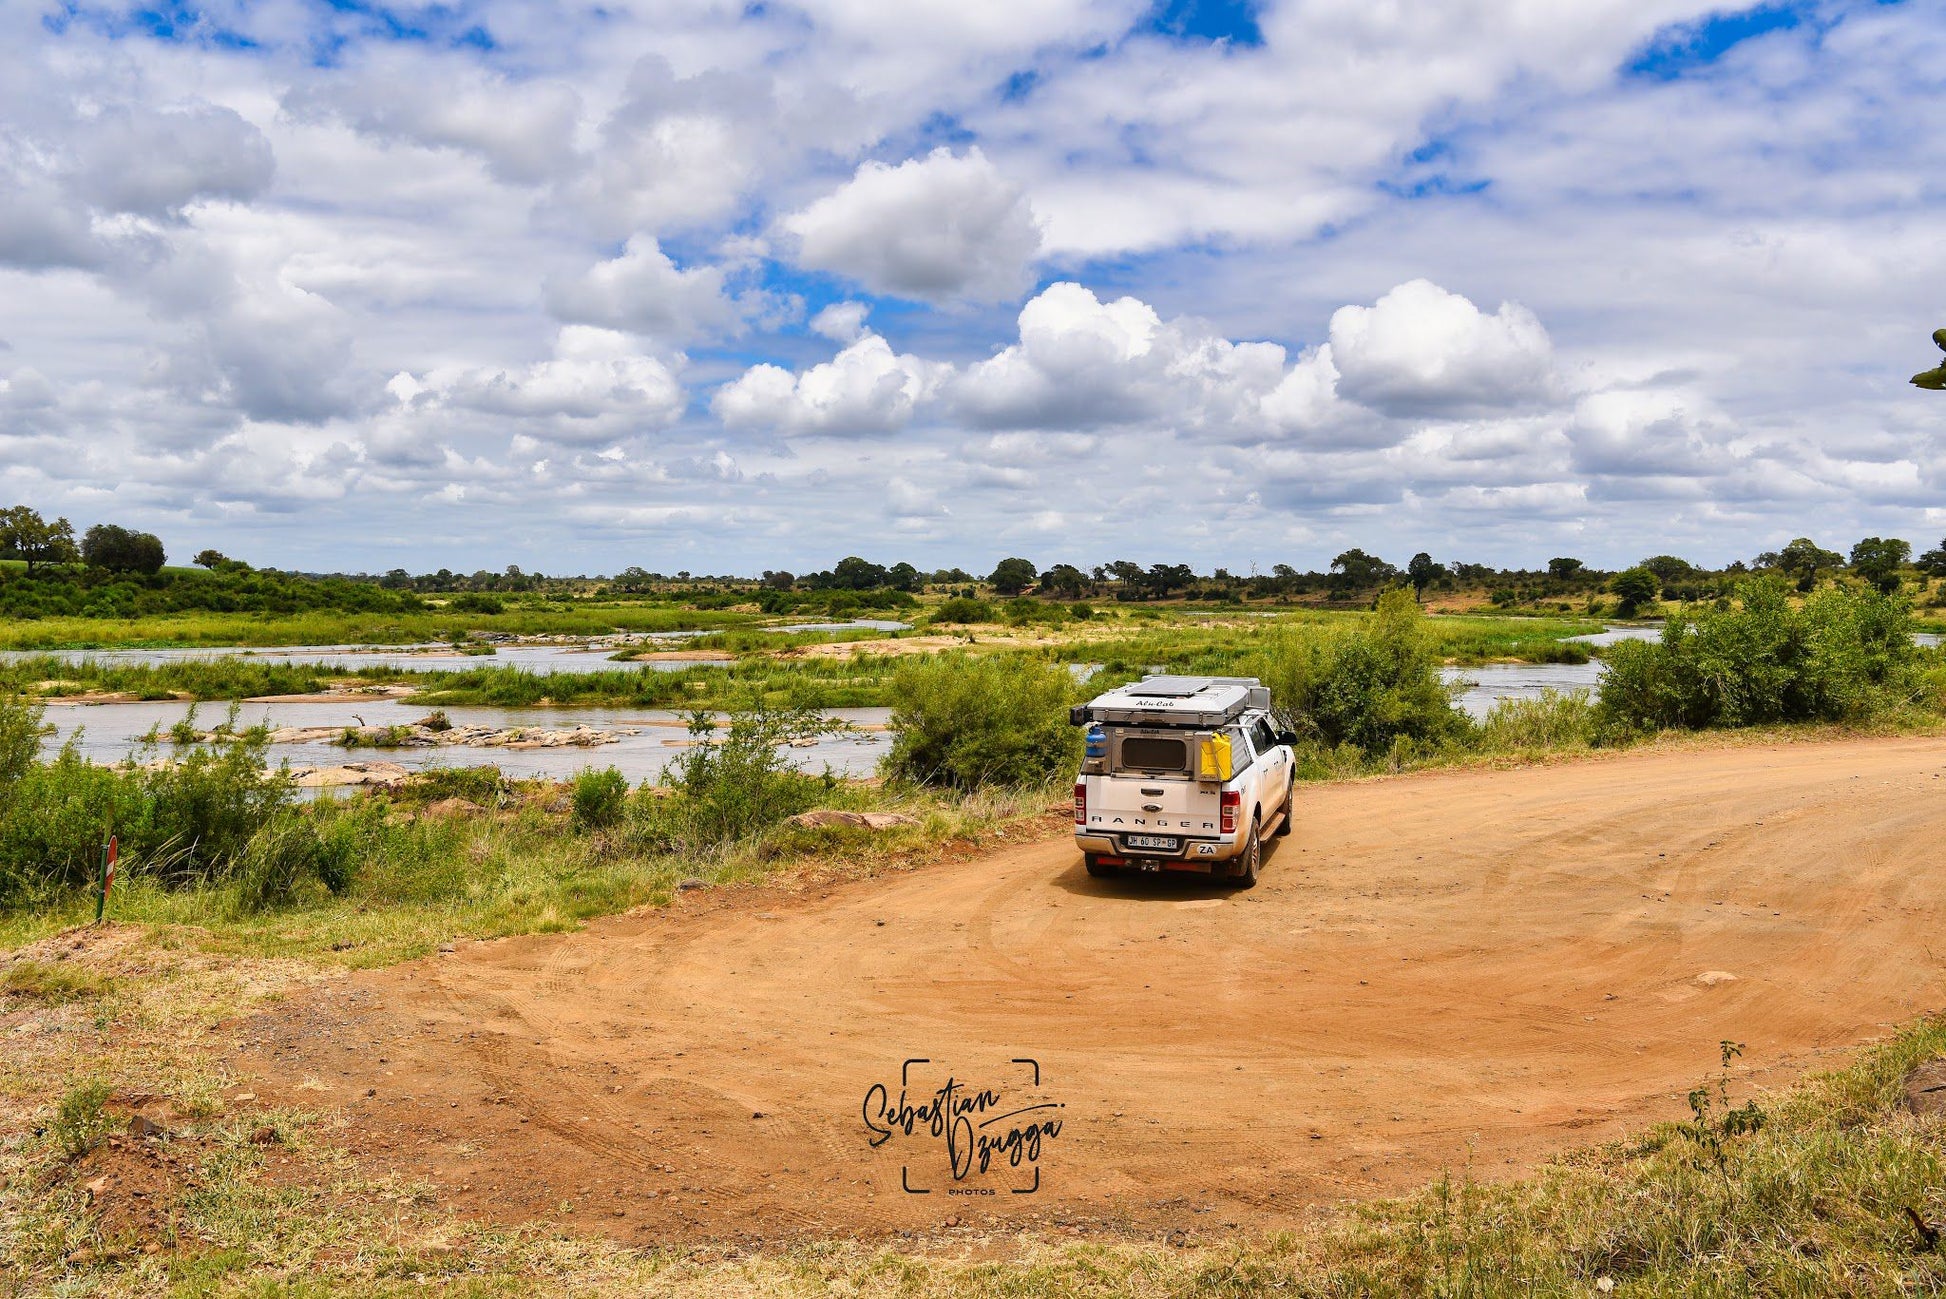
<point x="972" y="722"/>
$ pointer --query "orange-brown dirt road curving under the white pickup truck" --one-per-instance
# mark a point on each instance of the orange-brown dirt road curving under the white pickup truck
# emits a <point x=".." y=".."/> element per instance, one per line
<point x="1437" y="969"/>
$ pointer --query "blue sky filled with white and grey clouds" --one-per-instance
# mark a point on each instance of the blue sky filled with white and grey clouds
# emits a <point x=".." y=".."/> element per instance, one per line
<point x="731" y="287"/>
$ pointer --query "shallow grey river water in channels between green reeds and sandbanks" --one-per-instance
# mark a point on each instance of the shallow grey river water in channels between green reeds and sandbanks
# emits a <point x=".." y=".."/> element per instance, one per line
<point x="112" y="732"/>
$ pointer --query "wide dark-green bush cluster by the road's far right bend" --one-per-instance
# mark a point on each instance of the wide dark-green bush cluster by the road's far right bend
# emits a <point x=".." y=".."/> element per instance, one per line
<point x="1844" y="656"/>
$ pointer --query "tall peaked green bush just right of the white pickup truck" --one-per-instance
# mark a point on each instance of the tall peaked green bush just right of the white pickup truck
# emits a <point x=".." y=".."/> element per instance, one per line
<point x="1377" y="689"/>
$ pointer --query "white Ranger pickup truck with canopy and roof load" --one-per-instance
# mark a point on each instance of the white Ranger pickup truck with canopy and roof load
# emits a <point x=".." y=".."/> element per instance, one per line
<point x="1182" y="775"/>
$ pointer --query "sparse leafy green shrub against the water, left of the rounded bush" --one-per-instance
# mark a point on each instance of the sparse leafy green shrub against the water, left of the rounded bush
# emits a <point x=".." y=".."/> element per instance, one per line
<point x="739" y="785"/>
